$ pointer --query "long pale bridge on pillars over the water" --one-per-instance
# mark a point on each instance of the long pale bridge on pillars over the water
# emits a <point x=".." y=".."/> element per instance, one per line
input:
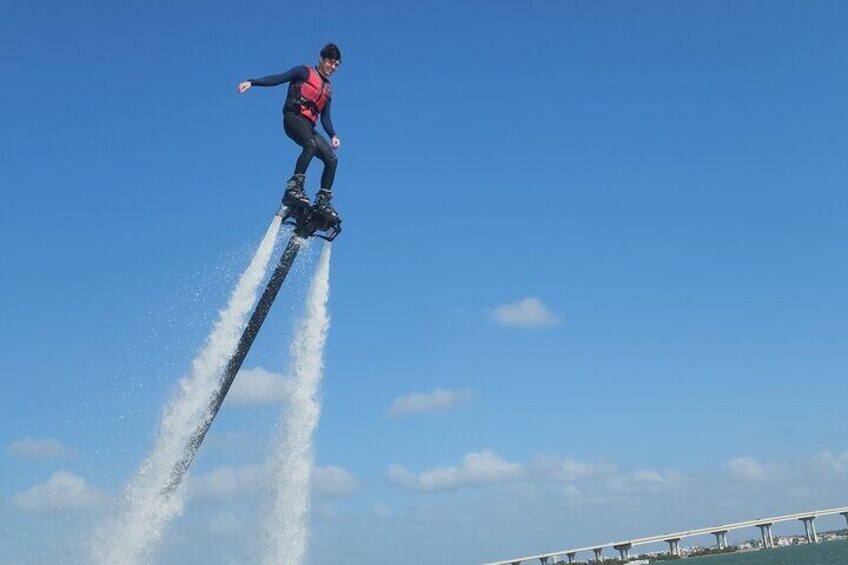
<point x="673" y="539"/>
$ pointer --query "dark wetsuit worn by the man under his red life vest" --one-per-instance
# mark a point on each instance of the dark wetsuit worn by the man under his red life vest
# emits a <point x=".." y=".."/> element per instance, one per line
<point x="300" y="129"/>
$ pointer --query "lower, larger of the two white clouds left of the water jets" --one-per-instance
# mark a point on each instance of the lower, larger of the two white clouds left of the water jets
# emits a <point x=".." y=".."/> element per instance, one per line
<point x="62" y="492"/>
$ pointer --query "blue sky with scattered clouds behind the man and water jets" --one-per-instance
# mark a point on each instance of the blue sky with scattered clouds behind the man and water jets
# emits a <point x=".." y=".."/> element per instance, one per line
<point x="657" y="188"/>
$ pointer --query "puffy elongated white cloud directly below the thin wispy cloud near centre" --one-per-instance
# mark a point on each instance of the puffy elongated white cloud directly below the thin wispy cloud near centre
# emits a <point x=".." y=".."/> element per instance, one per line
<point x="479" y="468"/>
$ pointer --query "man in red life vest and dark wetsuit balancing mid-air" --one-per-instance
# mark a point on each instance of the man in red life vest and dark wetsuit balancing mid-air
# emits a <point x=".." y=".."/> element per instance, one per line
<point x="309" y="96"/>
